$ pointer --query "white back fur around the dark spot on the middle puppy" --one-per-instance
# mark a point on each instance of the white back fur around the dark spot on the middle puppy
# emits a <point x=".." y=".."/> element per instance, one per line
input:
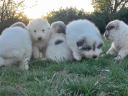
<point x="60" y="52"/>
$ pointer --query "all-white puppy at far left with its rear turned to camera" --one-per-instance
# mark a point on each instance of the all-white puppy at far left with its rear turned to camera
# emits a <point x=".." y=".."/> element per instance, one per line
<point x="16" y="47"/>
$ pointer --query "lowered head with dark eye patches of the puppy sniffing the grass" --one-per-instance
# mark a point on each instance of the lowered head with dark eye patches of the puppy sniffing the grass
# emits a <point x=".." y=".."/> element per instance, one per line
<point x="89" y="48"/>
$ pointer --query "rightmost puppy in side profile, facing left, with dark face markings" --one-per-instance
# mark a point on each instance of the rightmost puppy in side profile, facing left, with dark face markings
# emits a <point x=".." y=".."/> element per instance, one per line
<point x="117" y="32"/>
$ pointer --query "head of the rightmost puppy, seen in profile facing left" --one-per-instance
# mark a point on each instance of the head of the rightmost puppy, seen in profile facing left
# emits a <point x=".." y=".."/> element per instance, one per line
<point x="113" y="28"/>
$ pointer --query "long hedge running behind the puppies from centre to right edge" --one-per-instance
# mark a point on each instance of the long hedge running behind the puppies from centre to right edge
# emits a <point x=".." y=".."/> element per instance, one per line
<point x="99" y="18"/>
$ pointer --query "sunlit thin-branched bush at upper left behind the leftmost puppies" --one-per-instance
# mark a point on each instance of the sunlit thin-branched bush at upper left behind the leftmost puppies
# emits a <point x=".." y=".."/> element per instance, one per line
<point x="9" y="13"/>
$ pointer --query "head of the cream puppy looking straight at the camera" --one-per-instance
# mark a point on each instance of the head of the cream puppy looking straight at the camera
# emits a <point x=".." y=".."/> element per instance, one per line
<point x="39" y="29"/>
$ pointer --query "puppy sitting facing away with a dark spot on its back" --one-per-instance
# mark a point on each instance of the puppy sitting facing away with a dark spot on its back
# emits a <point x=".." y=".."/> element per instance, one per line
<point x="57" y="49"/>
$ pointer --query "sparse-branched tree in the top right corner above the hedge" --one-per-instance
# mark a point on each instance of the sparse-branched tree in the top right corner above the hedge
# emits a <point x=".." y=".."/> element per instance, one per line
<point x="110" y="6"/>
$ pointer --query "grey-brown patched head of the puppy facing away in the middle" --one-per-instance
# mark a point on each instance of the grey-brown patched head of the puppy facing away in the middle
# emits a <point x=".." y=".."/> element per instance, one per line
<point x="58" y="27"/>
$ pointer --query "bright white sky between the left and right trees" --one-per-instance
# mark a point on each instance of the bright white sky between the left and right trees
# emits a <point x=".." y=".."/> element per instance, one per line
<point x="37" y="8"/>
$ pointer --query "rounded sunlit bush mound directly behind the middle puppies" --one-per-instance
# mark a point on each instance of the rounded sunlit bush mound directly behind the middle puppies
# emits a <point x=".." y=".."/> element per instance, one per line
<point x="65" y="15"/>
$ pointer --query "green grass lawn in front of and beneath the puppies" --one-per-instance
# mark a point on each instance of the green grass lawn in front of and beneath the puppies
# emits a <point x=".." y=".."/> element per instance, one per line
<point x="102" y="77"/>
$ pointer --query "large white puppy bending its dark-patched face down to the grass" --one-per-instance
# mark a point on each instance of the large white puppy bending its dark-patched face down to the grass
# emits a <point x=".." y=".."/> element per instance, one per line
<point x="84" y="39"/>
